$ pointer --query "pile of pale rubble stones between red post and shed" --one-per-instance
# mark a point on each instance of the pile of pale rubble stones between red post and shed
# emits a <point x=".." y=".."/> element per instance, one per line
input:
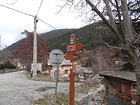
<point x="95" y="95"/>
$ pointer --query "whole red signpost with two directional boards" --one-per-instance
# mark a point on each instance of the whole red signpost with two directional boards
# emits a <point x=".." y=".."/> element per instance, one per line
<point x="72" y="56"/>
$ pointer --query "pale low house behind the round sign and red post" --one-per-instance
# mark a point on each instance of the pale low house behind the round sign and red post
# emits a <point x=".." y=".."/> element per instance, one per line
<point x="64" y="71"/>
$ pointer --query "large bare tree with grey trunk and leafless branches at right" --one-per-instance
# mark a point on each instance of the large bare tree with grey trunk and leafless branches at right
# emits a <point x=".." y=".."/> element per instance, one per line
<point x="127" y="37"/>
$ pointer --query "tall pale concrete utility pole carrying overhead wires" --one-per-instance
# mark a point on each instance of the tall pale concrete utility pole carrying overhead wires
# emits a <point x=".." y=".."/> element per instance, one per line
<point x="35" y="48"/>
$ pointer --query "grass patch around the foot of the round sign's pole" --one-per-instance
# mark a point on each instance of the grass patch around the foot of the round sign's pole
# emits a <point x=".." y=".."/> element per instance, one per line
<point x="62" y="99"/>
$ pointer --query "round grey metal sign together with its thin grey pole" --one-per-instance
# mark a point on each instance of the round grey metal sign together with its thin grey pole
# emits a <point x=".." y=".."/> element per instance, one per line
<point x="56" y="58"/>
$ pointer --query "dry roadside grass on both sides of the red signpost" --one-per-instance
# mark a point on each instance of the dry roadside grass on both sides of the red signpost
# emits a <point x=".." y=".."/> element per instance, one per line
<point x="63" y="99"/>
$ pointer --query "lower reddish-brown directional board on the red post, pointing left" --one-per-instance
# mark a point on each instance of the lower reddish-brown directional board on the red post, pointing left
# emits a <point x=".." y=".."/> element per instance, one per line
<point x="71" y="56"/>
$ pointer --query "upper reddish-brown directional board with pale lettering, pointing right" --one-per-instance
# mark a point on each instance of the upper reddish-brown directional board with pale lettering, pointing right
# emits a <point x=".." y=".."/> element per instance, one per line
<point x="74" y="47"/>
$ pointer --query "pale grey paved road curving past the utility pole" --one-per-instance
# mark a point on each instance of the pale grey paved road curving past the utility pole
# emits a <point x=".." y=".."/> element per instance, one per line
<point x="16" y="89"/>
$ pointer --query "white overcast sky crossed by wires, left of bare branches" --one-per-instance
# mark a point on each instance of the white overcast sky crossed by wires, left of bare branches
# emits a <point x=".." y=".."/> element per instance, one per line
<point x="13" y="23"/>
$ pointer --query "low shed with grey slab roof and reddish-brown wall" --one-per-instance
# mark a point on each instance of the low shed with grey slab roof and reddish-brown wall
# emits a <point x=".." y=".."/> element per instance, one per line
<point x="121" y="84"/>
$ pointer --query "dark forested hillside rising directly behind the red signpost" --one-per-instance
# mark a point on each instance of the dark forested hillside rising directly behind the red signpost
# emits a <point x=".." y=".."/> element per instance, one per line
<point x="89" y="36"/>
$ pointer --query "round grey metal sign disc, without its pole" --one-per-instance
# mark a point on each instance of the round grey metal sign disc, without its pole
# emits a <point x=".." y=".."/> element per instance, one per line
<point x="56" y="58"/>
